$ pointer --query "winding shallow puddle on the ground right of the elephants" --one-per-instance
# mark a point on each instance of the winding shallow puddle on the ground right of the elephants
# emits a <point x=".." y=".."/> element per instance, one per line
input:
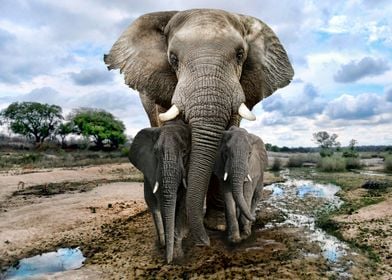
<point x="300" y="201"/>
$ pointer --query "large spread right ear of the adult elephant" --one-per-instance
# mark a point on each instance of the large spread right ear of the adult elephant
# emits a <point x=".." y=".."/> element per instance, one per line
<point x="267" y="67"/>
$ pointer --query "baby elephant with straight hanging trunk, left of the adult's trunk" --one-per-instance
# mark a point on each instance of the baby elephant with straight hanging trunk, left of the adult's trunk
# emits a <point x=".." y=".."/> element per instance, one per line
<point x="161" y="154"/>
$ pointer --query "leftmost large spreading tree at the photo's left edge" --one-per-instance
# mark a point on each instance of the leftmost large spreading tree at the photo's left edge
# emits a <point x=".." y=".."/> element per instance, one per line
<point x="32" y="119"/>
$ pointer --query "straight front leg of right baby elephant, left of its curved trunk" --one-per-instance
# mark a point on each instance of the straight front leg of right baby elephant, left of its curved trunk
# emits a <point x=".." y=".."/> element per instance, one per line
<point x="233" y="230"/>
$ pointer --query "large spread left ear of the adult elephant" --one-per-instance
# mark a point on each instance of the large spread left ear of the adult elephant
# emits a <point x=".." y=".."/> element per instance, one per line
<point x="141" y="54"/>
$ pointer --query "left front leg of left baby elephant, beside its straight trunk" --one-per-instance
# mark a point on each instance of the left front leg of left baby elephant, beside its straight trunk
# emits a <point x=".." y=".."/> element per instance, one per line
<point x="153" y="205"/>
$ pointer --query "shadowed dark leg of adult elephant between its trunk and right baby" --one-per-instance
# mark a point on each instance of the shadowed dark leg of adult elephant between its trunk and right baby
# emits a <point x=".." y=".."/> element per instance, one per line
<point x="215" y="215"/>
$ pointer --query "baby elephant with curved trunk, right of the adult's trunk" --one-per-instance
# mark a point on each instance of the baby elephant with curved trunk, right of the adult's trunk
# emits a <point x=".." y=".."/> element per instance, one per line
<point x="240" y="165"/>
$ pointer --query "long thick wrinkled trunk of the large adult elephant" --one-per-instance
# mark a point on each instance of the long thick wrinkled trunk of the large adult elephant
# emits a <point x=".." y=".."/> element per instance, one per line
<point x="211" y="97"/>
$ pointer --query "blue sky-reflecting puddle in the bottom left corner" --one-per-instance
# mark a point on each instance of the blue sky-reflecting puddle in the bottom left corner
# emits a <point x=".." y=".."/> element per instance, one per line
<point x="61" y="260"/>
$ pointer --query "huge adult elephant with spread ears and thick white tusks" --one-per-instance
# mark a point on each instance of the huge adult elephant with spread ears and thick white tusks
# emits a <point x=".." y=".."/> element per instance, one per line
<point x="210" y="66"/>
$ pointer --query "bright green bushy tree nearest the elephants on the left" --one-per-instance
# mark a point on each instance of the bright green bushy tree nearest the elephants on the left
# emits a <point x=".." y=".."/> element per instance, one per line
<point x="99" y="125"/>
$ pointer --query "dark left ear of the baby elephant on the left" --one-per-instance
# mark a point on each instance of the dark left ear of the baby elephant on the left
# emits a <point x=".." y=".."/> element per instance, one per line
<point x="141" y="153"/>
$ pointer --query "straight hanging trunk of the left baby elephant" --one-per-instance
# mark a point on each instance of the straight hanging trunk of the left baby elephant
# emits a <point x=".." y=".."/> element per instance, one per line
<point x="171" y="180"/>
